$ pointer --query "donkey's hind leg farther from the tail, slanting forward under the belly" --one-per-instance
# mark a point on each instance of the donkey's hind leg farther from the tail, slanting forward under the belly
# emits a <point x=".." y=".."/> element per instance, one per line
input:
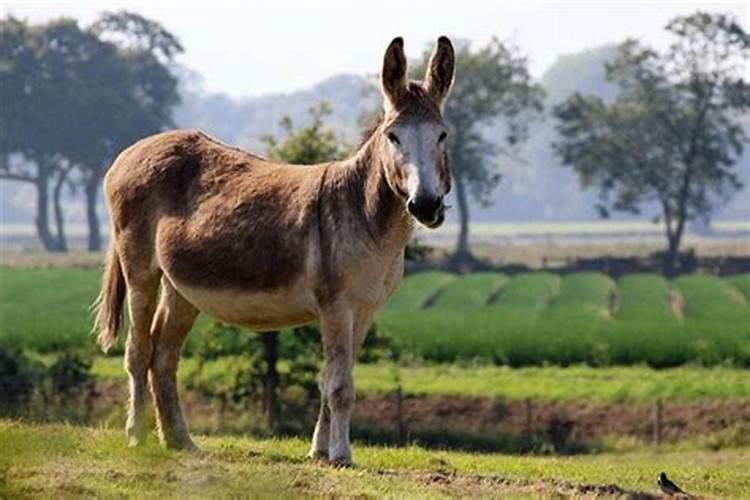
<point x="174" y="319"/>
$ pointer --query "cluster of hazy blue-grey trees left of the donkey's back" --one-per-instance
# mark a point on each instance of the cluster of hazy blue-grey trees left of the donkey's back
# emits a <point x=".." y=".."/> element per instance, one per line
<point x="72" y="98"/>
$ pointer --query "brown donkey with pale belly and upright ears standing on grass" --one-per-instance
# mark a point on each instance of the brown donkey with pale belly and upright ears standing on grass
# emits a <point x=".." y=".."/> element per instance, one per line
<point x="201" y="226"/>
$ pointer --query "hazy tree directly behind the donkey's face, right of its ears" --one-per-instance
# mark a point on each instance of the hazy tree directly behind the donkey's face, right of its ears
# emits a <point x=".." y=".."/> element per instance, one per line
<point x="492" y="83"/>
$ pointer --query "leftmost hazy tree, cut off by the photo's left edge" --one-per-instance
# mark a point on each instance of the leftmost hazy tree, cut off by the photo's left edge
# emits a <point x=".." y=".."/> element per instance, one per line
<point x="40" y="93"/>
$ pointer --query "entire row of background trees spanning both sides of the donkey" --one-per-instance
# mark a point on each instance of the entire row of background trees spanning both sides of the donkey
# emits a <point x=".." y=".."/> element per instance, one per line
<point x="669" y="137"/>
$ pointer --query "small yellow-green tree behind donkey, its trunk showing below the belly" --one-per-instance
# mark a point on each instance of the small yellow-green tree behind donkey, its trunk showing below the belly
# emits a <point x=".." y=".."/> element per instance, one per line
<point x="304" y="146"/>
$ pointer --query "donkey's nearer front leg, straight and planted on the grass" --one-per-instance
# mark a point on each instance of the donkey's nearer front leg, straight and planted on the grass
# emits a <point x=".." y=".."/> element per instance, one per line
<point x="338" y="383"/>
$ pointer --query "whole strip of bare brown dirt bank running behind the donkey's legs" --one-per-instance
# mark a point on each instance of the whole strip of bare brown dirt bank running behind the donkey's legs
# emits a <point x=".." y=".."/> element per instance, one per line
<point x="570" y="422"/>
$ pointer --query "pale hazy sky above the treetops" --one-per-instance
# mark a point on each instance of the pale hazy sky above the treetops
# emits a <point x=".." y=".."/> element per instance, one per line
<point x="257" y="47"/>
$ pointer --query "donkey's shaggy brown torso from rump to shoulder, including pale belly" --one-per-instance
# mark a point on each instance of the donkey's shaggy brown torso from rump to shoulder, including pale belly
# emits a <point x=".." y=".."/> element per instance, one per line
<point x="231" y="231"/>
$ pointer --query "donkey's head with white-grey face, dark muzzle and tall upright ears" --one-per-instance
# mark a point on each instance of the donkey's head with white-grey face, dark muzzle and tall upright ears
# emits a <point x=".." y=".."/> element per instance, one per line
<point x="414" y="131"/>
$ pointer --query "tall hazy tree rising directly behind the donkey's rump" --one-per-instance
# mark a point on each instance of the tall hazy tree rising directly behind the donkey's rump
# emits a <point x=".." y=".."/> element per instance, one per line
<point x="139" y="91"/>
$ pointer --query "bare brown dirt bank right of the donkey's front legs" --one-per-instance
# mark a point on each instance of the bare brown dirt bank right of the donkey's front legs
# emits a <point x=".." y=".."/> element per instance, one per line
<point x="581" y="421"/>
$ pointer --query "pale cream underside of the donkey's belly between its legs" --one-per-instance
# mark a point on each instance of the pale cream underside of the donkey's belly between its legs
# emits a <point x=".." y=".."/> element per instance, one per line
<point x="259" y="311"/>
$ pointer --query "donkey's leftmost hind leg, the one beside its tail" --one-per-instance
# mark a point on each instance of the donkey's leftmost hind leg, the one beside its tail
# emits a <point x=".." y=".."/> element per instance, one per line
<point x="143" y="294"/>
